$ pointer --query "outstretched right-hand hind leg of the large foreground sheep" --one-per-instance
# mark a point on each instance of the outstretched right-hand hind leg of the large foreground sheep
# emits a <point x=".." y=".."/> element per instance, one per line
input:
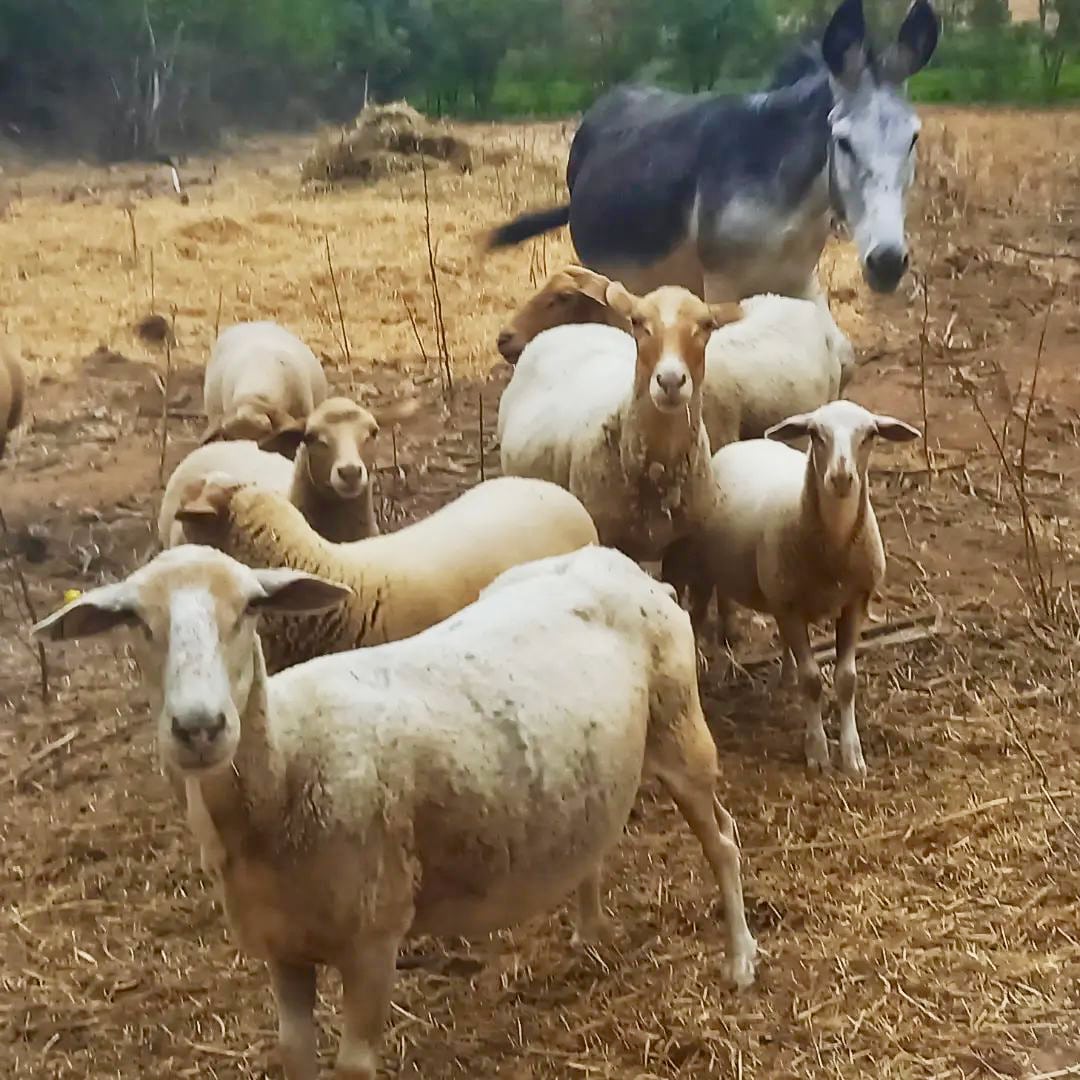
<point x="687" y="766"/>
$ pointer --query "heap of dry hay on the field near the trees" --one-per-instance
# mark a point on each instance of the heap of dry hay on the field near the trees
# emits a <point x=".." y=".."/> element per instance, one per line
<point x="385" y="141"/>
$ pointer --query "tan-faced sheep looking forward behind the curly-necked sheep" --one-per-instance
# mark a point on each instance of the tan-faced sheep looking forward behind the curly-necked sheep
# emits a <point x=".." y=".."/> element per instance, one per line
<point x="330" y="481"/>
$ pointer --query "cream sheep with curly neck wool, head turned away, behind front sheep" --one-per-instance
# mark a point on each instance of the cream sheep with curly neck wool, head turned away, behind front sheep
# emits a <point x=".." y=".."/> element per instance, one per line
<point x="404" y="582"/>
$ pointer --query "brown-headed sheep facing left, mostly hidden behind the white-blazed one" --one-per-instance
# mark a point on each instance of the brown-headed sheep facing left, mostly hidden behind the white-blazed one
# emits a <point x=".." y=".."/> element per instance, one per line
<point x="784" y="357"/>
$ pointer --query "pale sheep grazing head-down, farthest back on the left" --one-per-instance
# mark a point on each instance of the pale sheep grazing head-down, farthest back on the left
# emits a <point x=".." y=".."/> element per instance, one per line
<point x="261" y="379"/>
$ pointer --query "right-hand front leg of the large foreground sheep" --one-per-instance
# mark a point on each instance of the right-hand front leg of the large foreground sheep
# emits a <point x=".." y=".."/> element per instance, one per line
<point x="368" y="980"/>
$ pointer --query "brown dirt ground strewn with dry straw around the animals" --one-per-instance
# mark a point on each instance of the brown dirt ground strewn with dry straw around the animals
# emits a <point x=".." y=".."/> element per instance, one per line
<point x="923" y="924"/>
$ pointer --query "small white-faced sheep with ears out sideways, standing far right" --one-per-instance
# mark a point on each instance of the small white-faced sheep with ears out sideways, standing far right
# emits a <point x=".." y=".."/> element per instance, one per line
<point x="794" y="535"/>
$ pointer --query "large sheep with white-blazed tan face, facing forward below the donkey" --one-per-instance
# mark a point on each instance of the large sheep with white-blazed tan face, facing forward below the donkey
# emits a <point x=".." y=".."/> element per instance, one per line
<point x="617" y="420"/>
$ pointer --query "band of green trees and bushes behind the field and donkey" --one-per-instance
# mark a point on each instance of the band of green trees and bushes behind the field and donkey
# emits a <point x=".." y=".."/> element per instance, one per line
<point x="124" y="78"/>
